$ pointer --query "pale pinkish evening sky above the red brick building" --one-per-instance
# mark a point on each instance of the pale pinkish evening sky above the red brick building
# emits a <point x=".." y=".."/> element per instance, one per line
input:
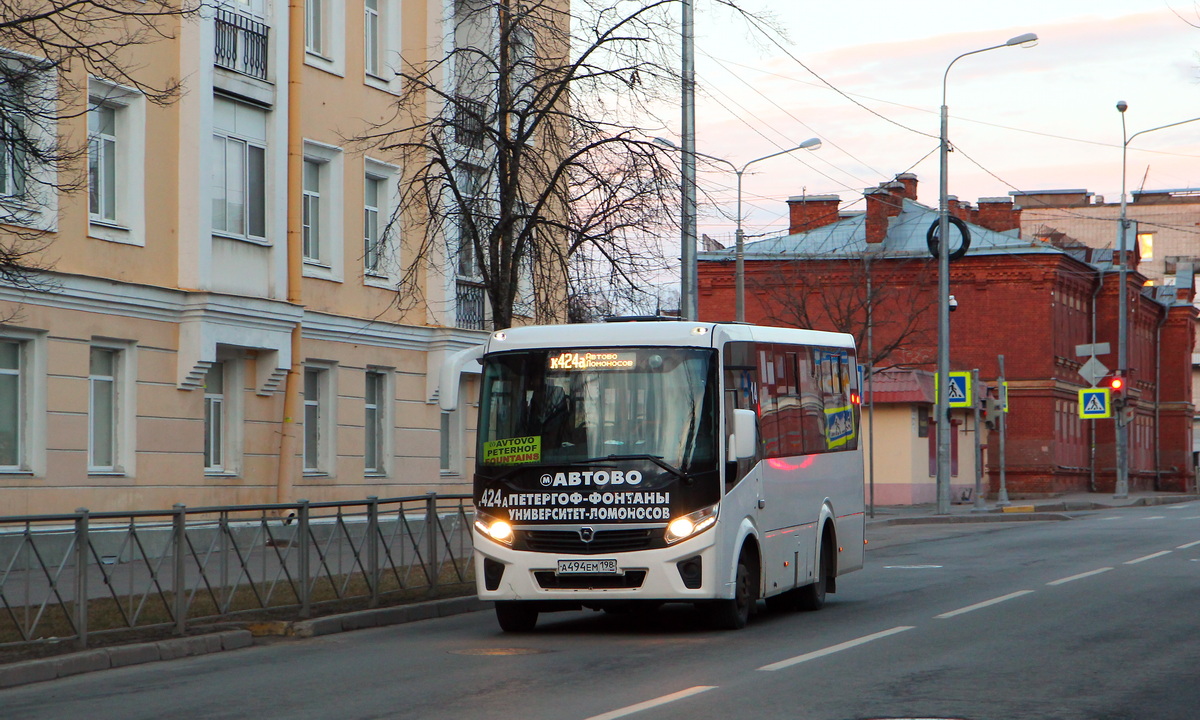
<point x="1021" y="119"/>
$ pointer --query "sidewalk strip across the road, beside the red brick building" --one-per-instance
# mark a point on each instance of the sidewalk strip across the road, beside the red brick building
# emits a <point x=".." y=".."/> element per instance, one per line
<point x="1057" y="508"/>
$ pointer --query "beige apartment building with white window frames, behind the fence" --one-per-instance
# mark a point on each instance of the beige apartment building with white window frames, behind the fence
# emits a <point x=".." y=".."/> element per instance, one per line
<point x="213" y="331"/>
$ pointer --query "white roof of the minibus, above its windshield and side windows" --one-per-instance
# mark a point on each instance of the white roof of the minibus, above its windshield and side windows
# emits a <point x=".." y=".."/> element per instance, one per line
<point x="659" y="333"/>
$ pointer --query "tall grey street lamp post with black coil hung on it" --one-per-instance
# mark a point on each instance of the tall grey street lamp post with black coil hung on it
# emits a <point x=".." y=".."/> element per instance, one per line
<point x="944" y="287"/>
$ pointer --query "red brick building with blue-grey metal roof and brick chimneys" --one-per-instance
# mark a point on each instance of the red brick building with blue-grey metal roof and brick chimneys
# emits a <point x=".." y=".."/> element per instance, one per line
<point x="1027" y="299"/>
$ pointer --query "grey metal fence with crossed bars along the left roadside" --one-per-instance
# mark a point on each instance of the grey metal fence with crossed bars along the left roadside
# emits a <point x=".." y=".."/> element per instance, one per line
<point x="77" y="577"/>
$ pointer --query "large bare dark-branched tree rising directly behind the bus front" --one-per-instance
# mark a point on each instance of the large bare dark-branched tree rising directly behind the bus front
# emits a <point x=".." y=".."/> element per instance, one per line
<point x="537" y="152"/>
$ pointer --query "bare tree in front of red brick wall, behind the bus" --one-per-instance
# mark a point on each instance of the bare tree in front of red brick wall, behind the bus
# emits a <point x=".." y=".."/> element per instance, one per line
<point x="849" y="295"/>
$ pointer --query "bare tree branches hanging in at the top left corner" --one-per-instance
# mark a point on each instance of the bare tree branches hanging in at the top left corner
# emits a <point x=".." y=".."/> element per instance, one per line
<point x="49" y="51"/>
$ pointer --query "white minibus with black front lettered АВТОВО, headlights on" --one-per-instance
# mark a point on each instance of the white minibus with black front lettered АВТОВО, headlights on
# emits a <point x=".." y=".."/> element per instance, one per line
<point x="653" y="463"/>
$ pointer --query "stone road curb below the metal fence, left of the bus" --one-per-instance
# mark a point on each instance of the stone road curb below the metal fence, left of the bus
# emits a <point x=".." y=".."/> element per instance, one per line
<point x="62" y="667"/>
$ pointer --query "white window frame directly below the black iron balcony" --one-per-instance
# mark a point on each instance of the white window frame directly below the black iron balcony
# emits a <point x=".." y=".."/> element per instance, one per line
<point x="247" y="137"/>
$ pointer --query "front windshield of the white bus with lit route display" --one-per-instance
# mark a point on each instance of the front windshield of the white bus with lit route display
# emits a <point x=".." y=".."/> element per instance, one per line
<point x="556" y="407"/>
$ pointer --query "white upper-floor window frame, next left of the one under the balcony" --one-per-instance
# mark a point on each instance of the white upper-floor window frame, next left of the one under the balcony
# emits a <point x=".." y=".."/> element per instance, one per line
<point x="128" y="226"/>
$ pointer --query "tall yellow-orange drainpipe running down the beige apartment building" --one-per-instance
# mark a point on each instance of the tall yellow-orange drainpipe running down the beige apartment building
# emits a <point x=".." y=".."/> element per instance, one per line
<point x="290" y="440"/>
